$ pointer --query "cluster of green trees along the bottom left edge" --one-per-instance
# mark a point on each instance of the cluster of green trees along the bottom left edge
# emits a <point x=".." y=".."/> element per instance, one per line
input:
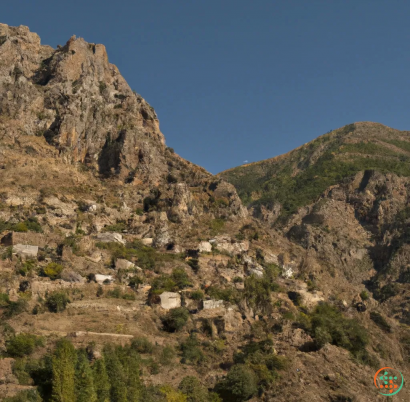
<point x="70" y="375"/>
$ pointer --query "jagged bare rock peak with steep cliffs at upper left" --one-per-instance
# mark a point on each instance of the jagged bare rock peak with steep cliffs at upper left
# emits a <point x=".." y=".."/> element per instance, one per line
<point x="80" y="103"/>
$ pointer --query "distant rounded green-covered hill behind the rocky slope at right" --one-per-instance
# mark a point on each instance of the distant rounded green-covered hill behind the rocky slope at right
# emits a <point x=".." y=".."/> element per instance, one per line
<point x="299" y="177"/>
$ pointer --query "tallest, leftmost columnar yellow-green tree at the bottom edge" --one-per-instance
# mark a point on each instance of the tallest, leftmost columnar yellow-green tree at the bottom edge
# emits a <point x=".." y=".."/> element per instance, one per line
<point x="63" y="361"/>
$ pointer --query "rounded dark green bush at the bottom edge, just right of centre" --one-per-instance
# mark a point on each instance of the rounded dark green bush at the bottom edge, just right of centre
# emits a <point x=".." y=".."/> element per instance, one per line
<point x="239" y="385"/>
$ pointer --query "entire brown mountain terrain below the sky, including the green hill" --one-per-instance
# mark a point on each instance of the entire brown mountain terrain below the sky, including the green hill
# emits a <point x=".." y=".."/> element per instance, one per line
<point x="130" y="274"/>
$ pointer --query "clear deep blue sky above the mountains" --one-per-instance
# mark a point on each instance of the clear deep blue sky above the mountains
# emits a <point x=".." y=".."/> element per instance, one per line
<point x="245" y="80"/>
